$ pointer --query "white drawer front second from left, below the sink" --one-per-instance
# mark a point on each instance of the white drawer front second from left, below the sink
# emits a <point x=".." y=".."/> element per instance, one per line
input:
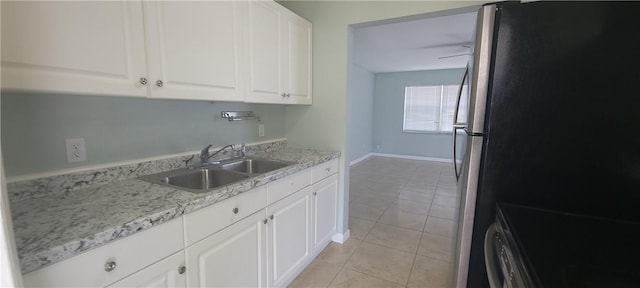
<point x="214" y="218"/>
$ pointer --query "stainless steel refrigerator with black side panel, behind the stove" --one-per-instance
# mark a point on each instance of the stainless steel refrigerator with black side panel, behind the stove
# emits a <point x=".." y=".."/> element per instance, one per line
<point x="554" y="111"/>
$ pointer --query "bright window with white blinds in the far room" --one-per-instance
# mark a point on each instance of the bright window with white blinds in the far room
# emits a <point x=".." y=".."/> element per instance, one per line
<point x="430" y="108"/>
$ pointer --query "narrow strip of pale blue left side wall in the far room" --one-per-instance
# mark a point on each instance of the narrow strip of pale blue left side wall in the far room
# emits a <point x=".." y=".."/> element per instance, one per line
<point x="361" y="83"/>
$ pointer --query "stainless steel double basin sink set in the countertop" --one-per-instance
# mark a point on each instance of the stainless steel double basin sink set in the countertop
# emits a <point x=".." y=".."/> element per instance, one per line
<point x="211" y="176"/>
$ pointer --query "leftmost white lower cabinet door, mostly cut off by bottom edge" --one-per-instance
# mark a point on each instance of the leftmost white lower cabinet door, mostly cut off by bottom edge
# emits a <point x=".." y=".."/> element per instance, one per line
<point x="164" y="274"/>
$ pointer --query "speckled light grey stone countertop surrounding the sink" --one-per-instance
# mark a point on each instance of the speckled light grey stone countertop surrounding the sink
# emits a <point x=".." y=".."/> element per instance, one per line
<point x="61" y="225"/>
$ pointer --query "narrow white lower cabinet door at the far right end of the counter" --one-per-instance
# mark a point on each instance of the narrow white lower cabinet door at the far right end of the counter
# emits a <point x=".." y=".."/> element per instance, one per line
<point x="325" y="200"/>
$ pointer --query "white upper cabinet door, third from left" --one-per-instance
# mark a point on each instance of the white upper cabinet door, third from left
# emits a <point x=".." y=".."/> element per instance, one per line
<point x="265" y="44"/>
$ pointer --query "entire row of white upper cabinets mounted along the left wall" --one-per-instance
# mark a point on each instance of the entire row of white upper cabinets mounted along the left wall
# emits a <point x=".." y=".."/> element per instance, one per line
<point x="251" y="51"/>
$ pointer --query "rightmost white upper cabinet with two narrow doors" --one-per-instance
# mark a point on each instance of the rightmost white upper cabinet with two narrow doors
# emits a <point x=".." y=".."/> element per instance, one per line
<point x="279" y="66"/>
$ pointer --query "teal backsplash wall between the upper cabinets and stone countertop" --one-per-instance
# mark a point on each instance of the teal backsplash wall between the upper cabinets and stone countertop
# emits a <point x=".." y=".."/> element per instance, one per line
<point x="35" y="126"/>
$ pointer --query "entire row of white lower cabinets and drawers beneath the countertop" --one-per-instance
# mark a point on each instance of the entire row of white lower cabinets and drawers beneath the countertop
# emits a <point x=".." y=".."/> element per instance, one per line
<point x="261" y="238"/>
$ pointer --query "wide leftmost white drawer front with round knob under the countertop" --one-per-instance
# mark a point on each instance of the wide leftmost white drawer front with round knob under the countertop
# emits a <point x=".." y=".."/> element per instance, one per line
<point x="128" y="254"/>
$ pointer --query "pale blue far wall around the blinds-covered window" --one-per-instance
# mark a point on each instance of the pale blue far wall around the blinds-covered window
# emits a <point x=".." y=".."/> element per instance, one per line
<point x="389" y="113"/>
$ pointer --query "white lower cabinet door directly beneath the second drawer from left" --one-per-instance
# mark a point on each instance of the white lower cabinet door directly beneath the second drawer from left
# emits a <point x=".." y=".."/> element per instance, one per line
<point x="233" y="257"/>
